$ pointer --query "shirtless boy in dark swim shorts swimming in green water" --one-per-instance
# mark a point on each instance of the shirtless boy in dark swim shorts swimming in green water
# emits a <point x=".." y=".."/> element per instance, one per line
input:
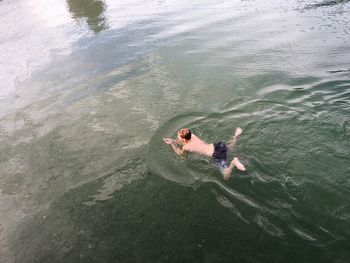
<point x="191" y="143"/>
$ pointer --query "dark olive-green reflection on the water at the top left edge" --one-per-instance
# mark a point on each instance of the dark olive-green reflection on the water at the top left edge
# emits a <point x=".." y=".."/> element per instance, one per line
<point x="92" y="10"/>
